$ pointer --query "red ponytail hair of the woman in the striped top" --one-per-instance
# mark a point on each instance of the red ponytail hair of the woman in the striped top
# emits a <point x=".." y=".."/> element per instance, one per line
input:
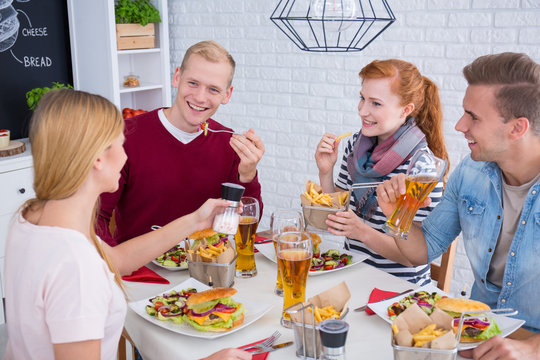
<point x="413" y="87"/>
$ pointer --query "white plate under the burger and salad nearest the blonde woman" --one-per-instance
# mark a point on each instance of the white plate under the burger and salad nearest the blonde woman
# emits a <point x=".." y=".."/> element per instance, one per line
<point x="254" y="311"/>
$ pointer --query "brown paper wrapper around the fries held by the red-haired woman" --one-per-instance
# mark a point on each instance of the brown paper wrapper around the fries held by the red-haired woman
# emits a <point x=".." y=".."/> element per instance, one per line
<point x="316" y="214"/>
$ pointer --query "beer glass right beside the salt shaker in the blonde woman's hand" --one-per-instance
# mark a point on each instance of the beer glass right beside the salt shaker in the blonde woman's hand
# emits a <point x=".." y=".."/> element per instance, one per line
<point x="245" y="238"/>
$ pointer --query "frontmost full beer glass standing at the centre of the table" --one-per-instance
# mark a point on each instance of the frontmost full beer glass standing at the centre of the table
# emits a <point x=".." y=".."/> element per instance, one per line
<point x="295" y="250"/>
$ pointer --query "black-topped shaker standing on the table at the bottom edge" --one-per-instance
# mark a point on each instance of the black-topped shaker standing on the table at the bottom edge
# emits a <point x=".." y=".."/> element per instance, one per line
<point x="333" y="336"/>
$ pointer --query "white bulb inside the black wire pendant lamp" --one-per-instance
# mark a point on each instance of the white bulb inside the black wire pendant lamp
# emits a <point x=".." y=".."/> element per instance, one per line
<point x="336" y="14"/>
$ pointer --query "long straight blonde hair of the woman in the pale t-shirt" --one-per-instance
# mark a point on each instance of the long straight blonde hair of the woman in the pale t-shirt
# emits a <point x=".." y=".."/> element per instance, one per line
<point x="68" y="131"/>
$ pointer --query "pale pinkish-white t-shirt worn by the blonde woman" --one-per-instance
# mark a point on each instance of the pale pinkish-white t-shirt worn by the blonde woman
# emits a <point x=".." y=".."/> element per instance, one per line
<point x="58" y="290"/>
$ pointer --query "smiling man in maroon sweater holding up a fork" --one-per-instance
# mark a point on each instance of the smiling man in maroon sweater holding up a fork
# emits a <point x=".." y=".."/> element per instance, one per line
<point x="173" y="167"/>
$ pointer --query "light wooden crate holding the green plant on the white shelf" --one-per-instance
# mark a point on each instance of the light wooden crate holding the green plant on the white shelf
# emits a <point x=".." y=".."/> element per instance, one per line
<point x="135" y="36"/>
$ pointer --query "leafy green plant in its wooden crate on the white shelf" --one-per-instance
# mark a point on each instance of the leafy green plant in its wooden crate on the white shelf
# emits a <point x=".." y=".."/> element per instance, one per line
<point x="135" y="24"/>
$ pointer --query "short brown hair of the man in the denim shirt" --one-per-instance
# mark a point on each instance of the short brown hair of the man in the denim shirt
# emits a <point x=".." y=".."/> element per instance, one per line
<point x="517" y="77"/>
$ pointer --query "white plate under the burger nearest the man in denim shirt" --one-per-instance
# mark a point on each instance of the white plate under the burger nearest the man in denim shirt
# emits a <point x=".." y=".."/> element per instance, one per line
<point x="507" y="324"/>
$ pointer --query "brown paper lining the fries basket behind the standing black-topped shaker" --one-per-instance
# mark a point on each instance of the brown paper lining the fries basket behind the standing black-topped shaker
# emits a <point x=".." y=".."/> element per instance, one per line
<point x="338" y="296"/>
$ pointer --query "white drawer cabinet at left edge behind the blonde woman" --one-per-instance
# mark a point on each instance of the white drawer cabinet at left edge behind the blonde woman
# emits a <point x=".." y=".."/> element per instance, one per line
<point x="16" y="186"/>
